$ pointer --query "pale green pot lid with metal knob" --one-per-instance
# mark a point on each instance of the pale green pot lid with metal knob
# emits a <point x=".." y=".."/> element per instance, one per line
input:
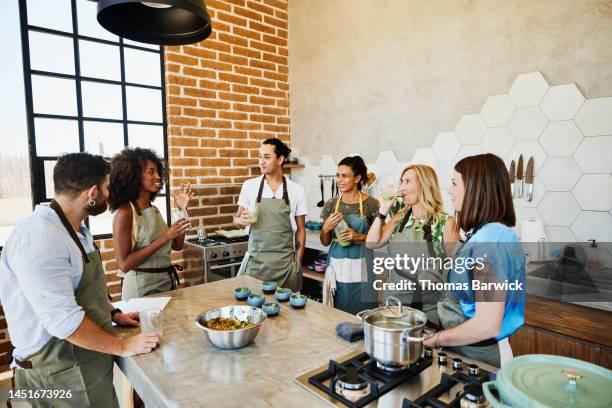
<point x="555" y="381"/>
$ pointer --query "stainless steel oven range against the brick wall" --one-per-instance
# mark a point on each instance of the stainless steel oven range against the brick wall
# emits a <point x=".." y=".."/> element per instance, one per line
<point x="220" y="256"/>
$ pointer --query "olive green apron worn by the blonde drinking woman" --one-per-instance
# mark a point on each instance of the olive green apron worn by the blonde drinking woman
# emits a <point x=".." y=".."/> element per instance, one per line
<point x="408" y="241"/>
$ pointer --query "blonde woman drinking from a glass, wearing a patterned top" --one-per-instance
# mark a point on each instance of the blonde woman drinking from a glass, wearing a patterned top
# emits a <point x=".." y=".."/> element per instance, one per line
<point x="419" y="230"/>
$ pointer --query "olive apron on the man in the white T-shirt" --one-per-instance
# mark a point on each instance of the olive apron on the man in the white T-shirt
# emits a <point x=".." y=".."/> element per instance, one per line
<point x="271" y="253"/>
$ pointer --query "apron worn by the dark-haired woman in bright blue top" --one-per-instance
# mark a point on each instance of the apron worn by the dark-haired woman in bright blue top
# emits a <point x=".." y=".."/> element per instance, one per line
<point x="451" y="315"/>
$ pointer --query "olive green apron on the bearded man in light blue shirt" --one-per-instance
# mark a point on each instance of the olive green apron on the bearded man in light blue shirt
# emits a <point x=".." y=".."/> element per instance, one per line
<point x="61" y="365"/>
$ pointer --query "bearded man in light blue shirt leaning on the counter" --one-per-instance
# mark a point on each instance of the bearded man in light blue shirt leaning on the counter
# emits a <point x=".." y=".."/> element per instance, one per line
<point x="53" y="291"/>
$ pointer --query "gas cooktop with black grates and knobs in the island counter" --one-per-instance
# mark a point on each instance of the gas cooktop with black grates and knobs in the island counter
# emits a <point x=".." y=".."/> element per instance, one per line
<point x="436" y="380"/>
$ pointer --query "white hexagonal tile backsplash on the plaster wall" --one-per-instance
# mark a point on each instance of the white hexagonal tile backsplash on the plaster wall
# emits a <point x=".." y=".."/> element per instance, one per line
<point x="570" y="138"/>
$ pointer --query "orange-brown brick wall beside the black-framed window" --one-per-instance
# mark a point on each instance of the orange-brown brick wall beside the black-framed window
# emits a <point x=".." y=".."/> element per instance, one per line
<point x="224" y="96"/>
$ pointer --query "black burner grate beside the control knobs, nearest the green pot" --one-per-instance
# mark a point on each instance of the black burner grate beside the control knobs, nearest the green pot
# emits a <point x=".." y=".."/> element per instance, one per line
<point x="448" y="381"/>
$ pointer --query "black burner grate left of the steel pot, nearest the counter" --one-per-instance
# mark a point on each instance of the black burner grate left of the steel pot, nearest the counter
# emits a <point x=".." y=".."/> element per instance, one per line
<point x="378" y="380"/>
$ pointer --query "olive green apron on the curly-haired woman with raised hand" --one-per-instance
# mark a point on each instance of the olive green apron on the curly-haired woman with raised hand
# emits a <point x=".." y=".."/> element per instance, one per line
<point x="156" y="274"/>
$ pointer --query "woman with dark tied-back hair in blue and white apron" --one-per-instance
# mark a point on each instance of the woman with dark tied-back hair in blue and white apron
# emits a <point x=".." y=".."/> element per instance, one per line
<point x="347" y="219"/>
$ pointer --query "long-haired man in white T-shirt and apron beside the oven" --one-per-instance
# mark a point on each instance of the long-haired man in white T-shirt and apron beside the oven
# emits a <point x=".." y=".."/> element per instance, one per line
<point x="274" y="209"/>
